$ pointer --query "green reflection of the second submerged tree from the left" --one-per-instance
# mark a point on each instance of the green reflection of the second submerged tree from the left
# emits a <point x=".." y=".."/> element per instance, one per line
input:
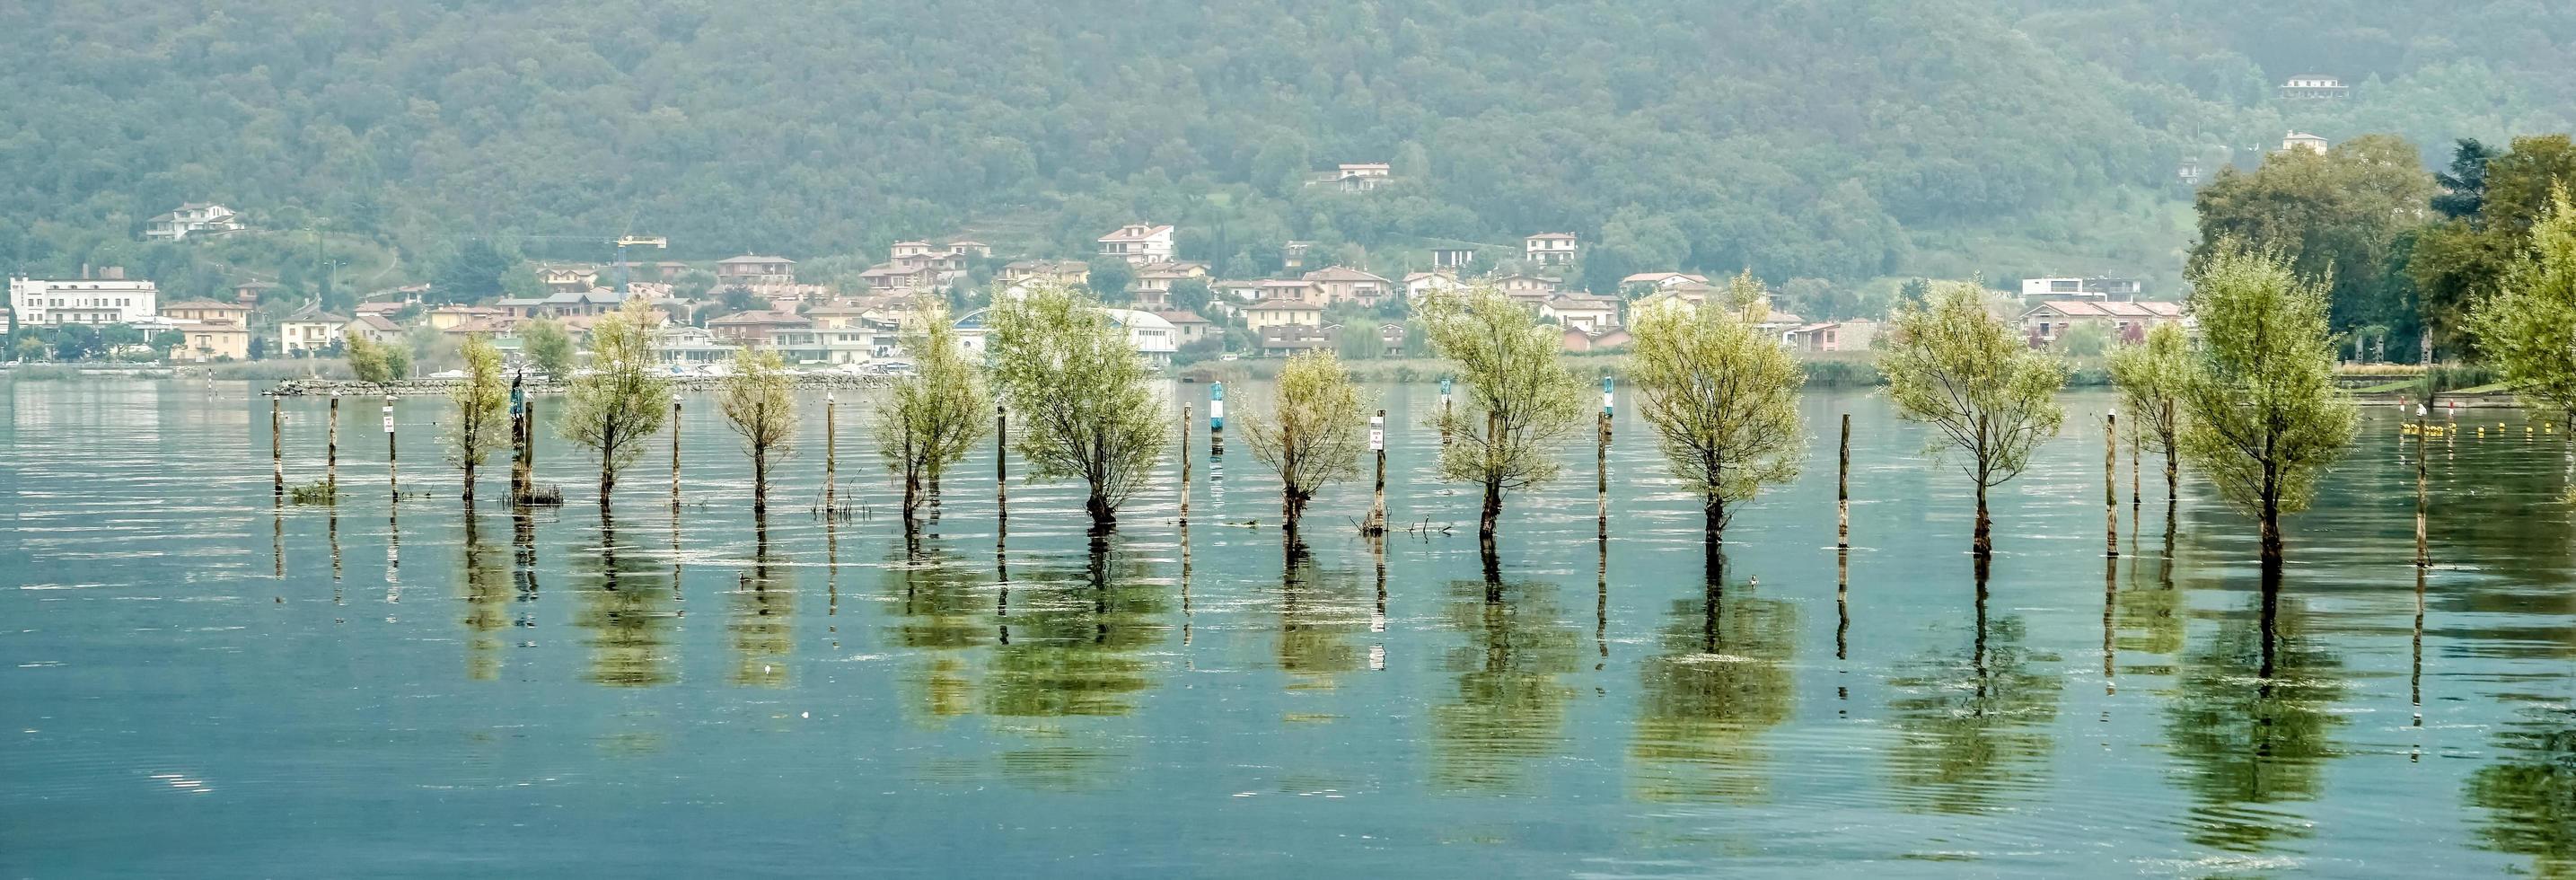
<point x="625" y="603"/>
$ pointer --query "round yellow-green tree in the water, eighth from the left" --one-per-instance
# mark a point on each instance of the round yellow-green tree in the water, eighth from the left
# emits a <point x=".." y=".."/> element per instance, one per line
<point x="1722" y="398"/>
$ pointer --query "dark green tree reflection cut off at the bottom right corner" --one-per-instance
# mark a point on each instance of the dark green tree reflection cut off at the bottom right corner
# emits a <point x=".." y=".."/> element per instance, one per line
<point x="2531" y="791"/>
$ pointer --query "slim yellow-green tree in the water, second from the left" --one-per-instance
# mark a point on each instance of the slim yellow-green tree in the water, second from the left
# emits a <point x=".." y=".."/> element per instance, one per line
<point x="625" y="400"/>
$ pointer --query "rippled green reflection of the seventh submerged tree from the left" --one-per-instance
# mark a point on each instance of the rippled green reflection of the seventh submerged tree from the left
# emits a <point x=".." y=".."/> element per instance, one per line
<point x="1511" y="706"/>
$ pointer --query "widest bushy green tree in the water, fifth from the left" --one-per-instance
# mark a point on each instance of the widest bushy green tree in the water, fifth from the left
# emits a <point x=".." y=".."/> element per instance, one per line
<point x="1083" y="395"/>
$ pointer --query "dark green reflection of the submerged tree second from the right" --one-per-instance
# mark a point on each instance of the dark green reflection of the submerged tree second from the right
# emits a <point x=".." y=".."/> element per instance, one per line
<point x="2250" y="722"/>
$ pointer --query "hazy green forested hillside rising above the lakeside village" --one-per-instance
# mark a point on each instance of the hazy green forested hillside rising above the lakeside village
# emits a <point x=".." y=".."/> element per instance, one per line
<point x="1804" y="140"/>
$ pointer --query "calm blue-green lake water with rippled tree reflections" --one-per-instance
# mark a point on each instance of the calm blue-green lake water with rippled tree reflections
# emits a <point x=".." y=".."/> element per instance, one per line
<point x="200" y="683"/>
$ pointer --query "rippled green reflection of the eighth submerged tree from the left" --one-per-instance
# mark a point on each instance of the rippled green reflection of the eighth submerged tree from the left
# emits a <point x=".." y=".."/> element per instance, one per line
<point x="1709" y="696"/>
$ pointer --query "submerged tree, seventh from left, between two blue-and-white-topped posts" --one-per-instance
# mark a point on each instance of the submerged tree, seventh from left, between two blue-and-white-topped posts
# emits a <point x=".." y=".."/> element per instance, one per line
<point x="1521" y="403"/>
